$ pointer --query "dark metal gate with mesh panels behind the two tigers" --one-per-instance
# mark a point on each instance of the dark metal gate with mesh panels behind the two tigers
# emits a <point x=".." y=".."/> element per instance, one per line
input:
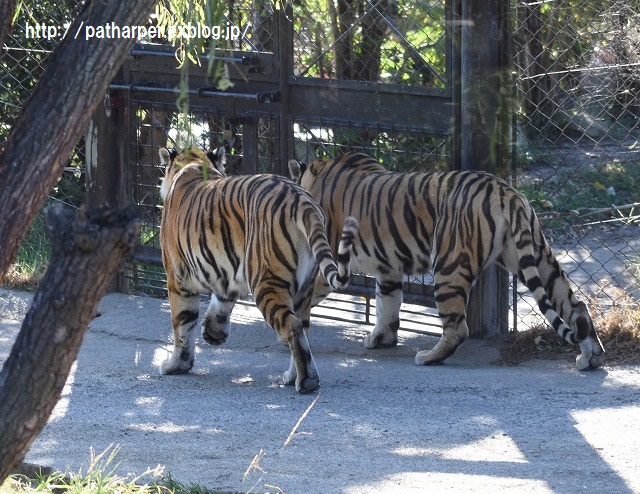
<point x="377" y="76"/>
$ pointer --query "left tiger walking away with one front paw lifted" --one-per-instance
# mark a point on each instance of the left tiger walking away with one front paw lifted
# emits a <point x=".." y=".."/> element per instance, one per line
<point x="229" y="236"/>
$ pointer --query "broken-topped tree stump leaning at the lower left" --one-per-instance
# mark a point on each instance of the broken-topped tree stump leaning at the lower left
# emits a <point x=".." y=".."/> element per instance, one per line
<point x="86" y="254"/>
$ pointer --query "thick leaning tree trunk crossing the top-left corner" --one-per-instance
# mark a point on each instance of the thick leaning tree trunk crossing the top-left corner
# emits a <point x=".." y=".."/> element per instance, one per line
<point x="55" y="117"/>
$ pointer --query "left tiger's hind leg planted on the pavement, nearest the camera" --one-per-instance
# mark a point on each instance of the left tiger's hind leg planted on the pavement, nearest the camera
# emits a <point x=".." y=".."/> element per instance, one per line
<point x="275" y="304"/>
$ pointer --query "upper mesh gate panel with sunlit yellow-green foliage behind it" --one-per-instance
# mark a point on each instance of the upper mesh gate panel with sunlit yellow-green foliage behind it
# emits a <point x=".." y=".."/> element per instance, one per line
<point x="397" y="42"/>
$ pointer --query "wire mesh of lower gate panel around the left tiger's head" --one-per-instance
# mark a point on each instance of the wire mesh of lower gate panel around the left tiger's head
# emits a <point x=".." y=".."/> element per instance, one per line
<point x="155" y="126"/>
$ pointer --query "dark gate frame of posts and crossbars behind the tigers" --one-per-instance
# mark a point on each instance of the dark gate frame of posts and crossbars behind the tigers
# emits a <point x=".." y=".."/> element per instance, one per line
<point x="473" y="112"/>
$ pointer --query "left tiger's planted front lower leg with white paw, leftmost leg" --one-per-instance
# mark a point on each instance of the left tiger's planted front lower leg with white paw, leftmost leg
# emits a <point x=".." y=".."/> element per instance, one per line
<point x="184" y="317"/>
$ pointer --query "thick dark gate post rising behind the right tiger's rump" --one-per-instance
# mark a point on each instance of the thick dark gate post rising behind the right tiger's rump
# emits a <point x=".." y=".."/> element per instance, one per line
<point x="482" y="138"/>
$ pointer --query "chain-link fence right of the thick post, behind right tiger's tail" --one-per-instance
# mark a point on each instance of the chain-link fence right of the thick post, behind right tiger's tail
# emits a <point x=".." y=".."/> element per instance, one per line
<point x="577" y="146"/>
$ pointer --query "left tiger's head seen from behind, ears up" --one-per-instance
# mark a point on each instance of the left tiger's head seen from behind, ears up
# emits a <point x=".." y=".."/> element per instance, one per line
<point x="213" y="161"/>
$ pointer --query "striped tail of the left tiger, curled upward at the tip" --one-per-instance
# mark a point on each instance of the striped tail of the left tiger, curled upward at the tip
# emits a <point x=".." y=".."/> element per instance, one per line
<point x="336" y="275"/>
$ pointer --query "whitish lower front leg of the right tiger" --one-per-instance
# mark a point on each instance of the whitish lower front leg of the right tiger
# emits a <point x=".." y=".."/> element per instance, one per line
<point x="388" y="302"/>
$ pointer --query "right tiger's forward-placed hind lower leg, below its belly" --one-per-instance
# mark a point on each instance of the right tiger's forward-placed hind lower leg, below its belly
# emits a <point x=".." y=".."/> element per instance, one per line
<point x="452" y="305"/>
